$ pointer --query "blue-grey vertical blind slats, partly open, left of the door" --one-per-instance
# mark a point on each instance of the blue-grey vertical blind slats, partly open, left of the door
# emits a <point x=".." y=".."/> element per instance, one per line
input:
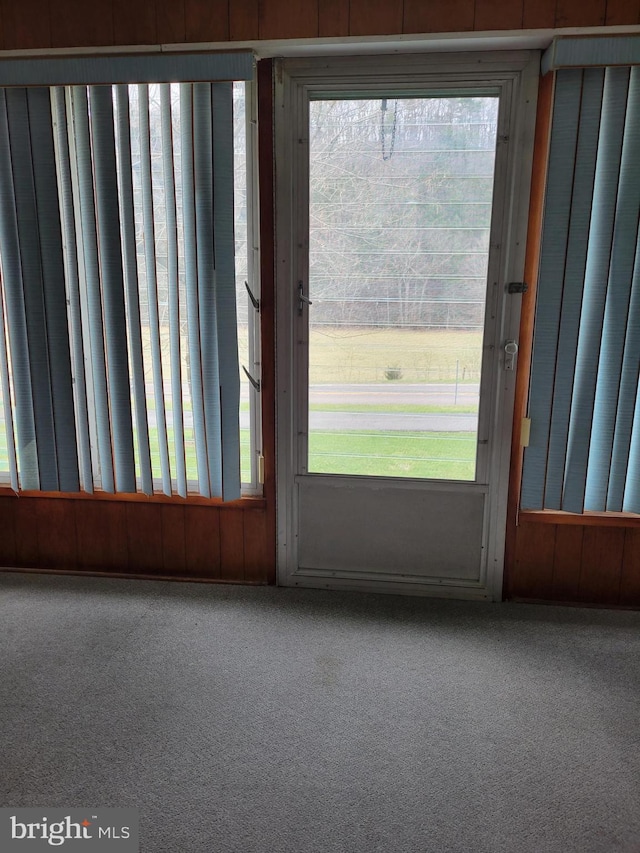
<point x="116" y="223"/>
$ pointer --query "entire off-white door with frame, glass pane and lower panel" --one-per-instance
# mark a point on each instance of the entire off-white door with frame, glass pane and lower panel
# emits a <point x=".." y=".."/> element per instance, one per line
<point x="402" y="195"/>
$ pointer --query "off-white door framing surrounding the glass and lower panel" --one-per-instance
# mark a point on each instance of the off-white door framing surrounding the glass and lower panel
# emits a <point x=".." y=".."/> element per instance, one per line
<point x="516" y="73"/>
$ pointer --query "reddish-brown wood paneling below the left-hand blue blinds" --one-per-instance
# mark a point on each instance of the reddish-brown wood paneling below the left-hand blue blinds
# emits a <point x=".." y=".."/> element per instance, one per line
<point x="143" y="538"/>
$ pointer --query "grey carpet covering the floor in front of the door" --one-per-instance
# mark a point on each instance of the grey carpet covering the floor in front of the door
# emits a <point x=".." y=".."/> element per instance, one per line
<point x="287" y="721"/>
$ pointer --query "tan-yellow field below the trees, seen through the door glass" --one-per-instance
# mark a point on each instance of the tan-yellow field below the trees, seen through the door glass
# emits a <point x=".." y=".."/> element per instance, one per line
<point x="351" y="355"/>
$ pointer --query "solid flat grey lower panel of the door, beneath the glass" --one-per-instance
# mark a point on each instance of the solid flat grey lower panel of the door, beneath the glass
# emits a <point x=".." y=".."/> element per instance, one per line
<point x="348" y="528"/>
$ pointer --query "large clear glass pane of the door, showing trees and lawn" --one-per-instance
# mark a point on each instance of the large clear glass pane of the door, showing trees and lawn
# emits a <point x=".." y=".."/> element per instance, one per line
<point x="400" y="212"/>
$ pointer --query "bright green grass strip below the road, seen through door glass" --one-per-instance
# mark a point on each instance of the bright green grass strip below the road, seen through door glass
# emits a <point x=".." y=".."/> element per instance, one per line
<point x="438" y="455"/>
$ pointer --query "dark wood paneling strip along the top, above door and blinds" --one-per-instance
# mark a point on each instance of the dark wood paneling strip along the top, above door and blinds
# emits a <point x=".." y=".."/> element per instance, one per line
<point x="28" y="24"/>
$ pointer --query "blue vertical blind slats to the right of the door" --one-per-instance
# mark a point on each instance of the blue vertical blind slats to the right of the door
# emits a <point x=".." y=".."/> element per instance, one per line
<point x="584" y="451"/>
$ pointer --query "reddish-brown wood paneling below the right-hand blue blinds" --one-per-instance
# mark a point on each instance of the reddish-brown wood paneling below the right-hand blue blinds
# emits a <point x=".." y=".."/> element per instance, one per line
<point x="583" y="560"/>
